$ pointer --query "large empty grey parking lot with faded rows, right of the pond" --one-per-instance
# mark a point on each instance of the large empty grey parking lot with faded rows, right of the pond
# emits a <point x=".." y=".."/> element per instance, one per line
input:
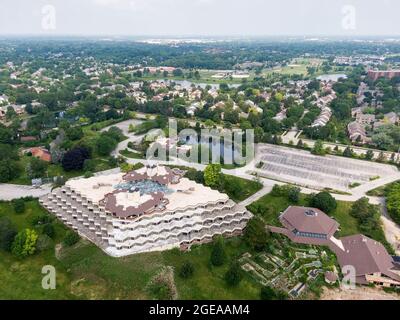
<point x="305" y="169"/>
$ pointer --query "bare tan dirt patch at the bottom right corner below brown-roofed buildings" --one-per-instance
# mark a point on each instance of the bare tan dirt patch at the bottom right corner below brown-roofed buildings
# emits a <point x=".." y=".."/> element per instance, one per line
<point x="360" y="293"/>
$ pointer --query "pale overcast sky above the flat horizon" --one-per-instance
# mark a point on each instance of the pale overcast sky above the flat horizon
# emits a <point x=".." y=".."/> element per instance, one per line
<point x="200" y="17"/>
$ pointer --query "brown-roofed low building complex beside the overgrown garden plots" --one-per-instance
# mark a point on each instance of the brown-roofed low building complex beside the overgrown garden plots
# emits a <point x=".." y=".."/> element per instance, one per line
<point x="370" y="259"/>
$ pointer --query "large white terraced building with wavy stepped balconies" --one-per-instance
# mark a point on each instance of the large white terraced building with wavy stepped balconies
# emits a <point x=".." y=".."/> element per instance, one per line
<point x="150" y="209"/>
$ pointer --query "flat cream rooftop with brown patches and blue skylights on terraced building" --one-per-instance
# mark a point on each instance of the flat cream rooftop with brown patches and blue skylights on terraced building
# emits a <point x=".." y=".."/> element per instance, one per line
<point x="144" y="191"/>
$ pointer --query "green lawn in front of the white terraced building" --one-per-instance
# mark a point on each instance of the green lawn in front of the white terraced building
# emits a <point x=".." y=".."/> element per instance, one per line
<point x="86" y="272"/>
